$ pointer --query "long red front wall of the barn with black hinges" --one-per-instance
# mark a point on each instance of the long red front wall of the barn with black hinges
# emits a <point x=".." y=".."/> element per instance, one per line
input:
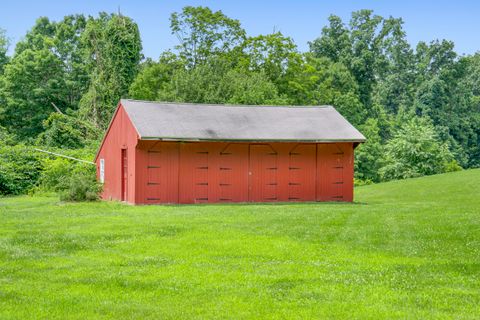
<point x="211" y="172"/>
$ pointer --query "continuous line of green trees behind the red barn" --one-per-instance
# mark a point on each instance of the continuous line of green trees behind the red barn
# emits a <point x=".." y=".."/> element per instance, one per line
<point x="418" y="107"/>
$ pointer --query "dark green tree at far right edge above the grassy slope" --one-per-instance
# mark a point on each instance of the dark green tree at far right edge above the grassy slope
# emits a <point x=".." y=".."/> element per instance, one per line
<point x="447" y="90"/>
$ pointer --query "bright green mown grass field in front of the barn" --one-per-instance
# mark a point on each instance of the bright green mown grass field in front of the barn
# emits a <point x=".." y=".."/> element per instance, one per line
<point x="405" y="249"/>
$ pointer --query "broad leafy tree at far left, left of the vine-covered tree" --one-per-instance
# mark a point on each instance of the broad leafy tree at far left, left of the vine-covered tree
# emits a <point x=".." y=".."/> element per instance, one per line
<point x="46" y="68"/>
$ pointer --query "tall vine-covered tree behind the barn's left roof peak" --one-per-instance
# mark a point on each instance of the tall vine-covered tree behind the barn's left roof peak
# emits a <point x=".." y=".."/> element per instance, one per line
<point x="113" y="52"/>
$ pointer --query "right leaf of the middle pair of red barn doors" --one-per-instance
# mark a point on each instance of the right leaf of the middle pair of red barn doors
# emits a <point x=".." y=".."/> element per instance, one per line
<point x="263" y="173"/>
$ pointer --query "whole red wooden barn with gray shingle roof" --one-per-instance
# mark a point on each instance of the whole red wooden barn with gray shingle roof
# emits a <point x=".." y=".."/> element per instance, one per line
<point x="190" y="153"/>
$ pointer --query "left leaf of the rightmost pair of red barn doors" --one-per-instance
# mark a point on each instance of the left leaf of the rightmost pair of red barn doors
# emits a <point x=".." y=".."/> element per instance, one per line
<point x="301" y="177"/>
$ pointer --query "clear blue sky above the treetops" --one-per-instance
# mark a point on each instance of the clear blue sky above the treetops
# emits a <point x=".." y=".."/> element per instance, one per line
<point x="301" y="19"/>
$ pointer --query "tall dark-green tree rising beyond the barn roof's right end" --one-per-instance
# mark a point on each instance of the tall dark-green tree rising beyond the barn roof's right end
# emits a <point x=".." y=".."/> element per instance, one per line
<point x="375" y="51"/>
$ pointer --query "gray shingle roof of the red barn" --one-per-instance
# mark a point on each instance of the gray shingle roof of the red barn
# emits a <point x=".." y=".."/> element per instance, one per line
<point x="183" y="121"/>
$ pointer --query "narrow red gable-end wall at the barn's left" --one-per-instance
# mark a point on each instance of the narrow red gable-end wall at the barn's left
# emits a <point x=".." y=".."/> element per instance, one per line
<point x="121" y="135"/>
